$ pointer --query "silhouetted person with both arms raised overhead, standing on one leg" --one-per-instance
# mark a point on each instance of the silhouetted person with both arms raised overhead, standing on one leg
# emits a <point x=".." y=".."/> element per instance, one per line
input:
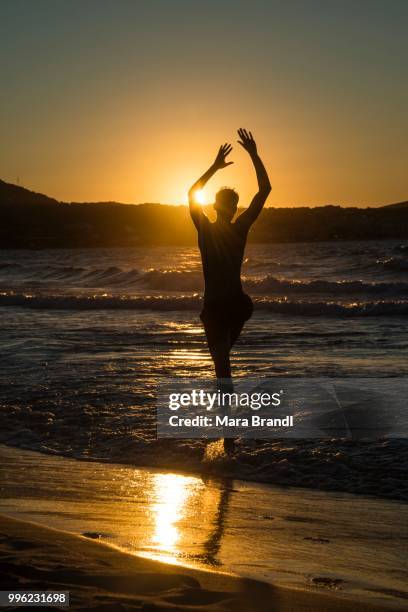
<point x="222" y="244"/>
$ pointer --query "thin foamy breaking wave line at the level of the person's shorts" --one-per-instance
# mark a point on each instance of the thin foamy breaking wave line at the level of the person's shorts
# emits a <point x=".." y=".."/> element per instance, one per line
<point x="193" y="303"/>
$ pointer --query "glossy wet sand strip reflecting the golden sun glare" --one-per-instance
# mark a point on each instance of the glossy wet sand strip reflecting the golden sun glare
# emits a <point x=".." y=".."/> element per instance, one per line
<point x="349" y="546"/>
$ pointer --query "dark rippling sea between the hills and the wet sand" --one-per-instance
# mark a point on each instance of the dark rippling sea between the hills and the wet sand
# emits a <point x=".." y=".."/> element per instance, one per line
<point x="88" y="336"/>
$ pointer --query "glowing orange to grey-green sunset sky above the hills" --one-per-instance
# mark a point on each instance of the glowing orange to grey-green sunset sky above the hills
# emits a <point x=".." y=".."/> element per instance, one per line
<point x="135" y="111"/>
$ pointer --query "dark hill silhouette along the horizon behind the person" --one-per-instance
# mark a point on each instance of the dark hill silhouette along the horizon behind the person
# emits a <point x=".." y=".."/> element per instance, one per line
<point x="33" y="220"/>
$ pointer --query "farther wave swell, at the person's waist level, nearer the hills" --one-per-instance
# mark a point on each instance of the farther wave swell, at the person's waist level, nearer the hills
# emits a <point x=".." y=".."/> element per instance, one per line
<point x="16" y="275"/>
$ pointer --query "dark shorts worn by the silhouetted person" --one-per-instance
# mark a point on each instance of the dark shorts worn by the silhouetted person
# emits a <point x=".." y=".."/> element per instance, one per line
<point x="226" y="314"/>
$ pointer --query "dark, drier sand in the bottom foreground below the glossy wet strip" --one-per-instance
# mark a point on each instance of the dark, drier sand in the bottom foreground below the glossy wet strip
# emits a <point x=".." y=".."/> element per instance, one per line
<point x="98" y="574"/>
